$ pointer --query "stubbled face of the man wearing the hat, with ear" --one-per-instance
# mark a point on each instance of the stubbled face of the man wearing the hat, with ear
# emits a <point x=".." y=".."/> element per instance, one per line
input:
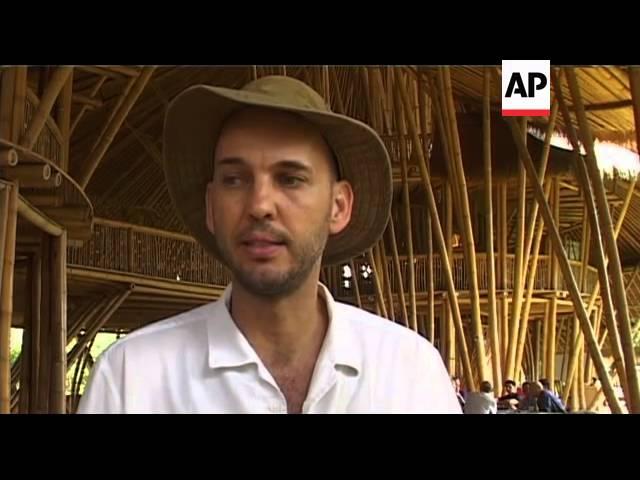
<point x="274" y="200"/>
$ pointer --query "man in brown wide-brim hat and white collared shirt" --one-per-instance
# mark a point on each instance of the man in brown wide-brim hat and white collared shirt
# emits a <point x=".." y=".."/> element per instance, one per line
<point x="273" y="184"/>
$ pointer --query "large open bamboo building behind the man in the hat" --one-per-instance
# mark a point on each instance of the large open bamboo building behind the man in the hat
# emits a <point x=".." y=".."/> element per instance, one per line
<point x="516" y="257"/>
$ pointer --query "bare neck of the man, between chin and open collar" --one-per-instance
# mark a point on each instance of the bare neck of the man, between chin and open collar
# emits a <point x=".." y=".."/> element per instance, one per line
<point x="282" y="330"/>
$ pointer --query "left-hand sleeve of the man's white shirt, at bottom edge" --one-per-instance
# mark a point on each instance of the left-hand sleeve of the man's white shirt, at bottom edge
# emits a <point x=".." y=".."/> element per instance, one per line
<point x="101" y="394"/>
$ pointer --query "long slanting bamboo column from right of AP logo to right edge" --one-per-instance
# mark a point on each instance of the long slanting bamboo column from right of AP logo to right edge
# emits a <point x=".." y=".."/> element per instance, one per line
<point x="617" y="279"/>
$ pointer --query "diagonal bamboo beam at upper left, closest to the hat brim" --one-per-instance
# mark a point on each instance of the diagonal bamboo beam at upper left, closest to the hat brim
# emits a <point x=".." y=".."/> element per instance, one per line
<point x="113" y="127"/>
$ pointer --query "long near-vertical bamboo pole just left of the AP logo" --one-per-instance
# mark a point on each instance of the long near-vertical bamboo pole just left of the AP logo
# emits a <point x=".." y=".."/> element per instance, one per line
<point x="488" y="207"/>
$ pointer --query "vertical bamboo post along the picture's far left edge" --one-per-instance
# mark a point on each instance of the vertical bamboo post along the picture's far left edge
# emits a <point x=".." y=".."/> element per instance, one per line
<point x="9" y="223"/>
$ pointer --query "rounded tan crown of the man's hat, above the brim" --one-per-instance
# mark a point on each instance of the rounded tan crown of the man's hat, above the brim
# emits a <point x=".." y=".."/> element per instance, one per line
<point x="288" y="91"/>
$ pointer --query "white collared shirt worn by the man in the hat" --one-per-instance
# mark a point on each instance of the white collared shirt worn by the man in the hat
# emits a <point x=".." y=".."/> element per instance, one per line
<point x="200" y="362"/>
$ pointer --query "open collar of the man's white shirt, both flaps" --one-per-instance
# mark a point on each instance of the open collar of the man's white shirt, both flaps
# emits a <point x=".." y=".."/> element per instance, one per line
<point x="228" y="347"/>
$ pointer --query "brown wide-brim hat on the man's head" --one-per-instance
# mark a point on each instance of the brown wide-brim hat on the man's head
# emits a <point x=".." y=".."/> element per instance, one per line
<point x="192" y="125"/>
